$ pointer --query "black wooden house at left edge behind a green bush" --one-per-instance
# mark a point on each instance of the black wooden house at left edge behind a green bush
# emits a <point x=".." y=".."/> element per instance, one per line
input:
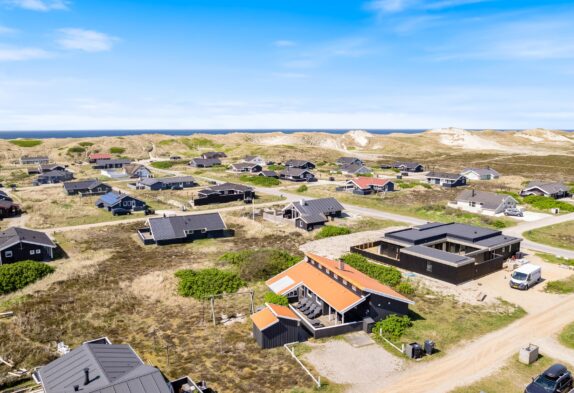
<point x="19" y="244"/>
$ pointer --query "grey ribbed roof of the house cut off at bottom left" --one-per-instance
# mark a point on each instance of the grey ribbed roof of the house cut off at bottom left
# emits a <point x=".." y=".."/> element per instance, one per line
<point x="112" y="368"/>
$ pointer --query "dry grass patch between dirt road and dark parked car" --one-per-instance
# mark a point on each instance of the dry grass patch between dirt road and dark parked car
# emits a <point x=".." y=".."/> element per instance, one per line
<point x="512" y="378"/>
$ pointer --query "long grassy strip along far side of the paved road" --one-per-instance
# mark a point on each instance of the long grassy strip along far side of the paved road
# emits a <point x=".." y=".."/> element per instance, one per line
<point x="419" y="201"/>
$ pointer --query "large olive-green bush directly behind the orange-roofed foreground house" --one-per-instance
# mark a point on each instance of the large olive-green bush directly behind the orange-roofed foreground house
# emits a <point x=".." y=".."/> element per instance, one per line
<point x="260" y="264"/>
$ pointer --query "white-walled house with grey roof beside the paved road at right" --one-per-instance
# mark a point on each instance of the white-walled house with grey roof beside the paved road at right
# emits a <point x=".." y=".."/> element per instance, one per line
<point x="484" y="201"/>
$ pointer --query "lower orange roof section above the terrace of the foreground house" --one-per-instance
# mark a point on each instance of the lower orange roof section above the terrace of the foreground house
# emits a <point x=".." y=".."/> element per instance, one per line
<point x="332" y="292"/>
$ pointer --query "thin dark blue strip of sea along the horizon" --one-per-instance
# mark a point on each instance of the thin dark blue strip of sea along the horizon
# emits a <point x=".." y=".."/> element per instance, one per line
<point x="99" y="133"/>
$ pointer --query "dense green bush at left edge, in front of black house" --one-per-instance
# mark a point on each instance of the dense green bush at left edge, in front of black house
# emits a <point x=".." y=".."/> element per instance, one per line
<point x="20" y="274"/>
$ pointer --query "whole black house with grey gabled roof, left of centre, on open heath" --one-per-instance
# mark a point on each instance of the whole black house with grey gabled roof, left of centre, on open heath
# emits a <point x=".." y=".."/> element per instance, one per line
<point x="183" y="229"/>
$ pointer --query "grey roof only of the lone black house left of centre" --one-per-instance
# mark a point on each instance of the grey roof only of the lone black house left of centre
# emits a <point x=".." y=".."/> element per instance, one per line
<point x="168" y="228"/>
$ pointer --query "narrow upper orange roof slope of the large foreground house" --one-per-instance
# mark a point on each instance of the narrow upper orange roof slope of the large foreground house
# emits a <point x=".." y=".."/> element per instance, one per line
<point x="358" y="279"/>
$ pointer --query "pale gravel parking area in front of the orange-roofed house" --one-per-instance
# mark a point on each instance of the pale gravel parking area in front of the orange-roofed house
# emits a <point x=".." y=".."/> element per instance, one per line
<point x="362" y="367"/>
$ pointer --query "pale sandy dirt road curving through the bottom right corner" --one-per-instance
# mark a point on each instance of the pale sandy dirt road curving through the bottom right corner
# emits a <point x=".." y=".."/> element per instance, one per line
<point x="482" y="356"/>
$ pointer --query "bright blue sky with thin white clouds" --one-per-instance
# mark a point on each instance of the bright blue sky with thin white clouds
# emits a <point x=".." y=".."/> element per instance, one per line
<point x="119" y="64"/>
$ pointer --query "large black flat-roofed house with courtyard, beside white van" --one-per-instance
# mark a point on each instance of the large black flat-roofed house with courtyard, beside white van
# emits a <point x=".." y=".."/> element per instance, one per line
<point x="453" y="252"/>
